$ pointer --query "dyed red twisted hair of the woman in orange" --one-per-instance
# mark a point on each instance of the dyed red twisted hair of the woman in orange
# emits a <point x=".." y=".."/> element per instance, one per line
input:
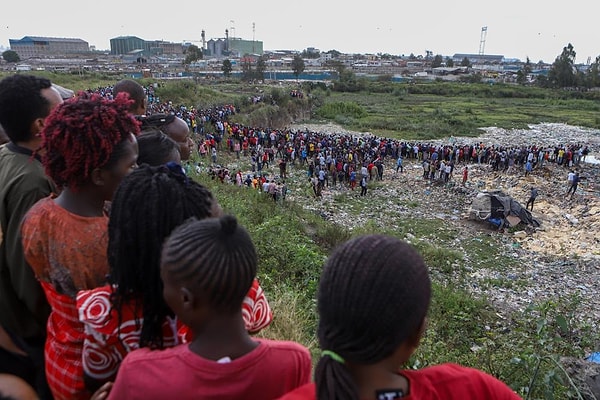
<point x="83" y="134"/>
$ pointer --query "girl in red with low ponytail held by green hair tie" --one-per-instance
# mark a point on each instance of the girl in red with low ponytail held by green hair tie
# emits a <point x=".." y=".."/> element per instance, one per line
<point x="373" y="299"/>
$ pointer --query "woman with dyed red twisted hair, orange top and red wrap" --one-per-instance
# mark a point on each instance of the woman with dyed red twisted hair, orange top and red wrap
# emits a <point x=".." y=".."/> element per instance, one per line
<point x="88" y="146"/>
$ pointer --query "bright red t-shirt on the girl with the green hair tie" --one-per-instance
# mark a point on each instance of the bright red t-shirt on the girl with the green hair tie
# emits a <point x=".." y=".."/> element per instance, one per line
<point x="443" y="382"/>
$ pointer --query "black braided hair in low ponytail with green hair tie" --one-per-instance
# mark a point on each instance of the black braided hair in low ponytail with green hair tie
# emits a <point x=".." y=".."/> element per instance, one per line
<point x="373" y="295"/>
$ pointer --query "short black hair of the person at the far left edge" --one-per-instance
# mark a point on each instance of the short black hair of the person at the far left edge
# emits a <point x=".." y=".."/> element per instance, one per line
<point x="21" y="103"/>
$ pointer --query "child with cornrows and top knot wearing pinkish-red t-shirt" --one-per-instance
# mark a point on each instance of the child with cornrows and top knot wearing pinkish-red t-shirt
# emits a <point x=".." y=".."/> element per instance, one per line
<point x="207" y="268"/>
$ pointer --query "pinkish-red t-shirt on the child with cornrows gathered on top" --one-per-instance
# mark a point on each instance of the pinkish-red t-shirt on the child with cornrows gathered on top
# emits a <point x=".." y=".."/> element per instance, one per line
<point x="272" y="369"/>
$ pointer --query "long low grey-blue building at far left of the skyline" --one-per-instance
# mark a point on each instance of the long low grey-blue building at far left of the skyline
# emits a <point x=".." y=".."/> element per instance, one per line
<point x="36" y="46"/>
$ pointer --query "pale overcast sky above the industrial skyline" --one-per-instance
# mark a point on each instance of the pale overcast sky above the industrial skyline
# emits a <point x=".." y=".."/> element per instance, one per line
<point x="515" y="29"/>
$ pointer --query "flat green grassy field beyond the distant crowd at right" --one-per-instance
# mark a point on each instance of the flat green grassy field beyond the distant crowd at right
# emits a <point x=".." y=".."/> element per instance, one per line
<point x="423" y="114"/>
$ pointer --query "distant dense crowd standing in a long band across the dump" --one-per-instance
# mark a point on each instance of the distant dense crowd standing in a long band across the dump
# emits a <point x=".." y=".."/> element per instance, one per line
<point x="337" y="160"/>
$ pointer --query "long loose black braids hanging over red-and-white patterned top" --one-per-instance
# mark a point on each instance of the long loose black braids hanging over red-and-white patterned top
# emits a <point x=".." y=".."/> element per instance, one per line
<point x="148" y="204"/>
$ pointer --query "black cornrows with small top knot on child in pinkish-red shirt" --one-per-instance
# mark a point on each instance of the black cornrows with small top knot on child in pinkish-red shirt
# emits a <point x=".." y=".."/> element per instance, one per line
<point x="215" y="258"/>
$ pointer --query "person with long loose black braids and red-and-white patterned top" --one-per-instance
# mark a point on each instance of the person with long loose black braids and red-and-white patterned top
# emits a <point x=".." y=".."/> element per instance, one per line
<point x="130" y="312"/>
